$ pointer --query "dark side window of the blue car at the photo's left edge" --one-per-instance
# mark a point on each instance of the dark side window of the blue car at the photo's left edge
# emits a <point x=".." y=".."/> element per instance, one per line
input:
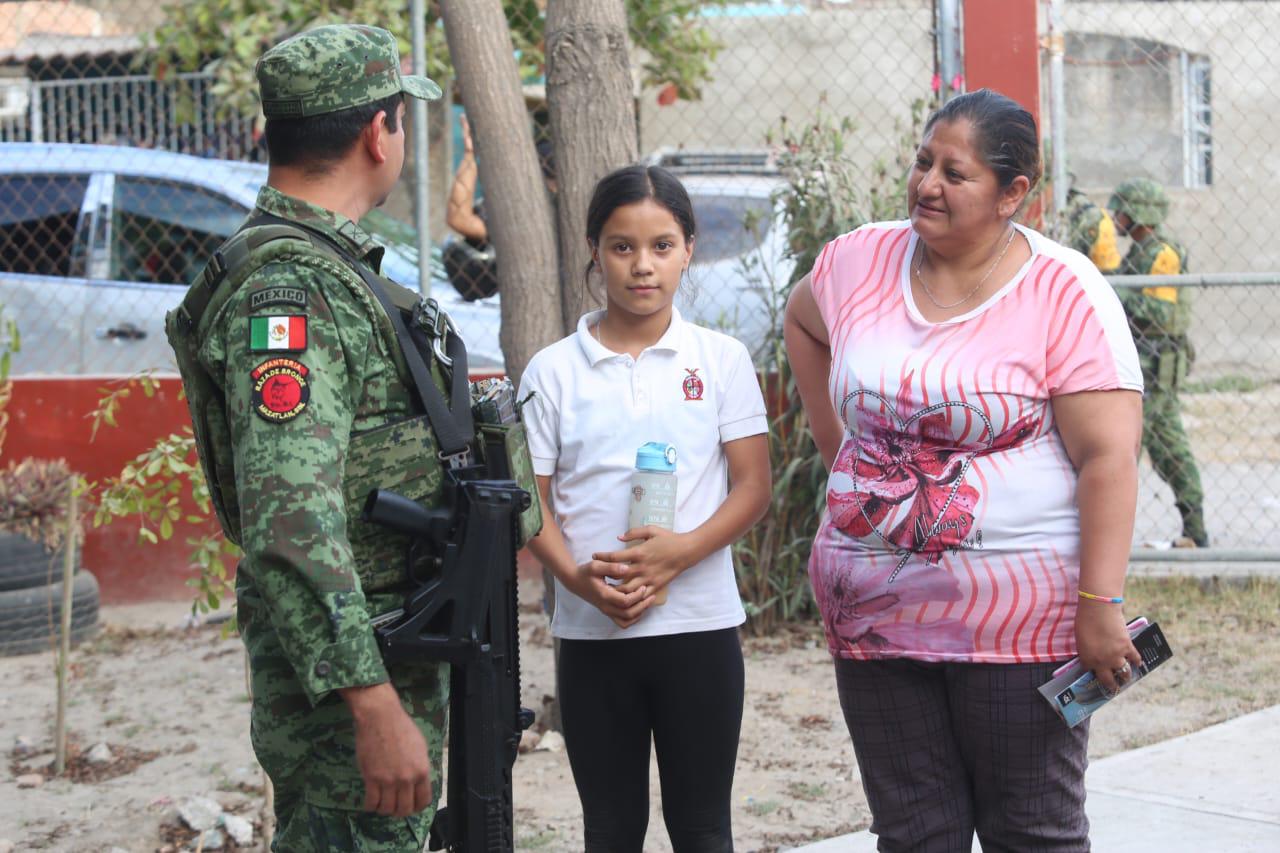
<point x="39" y="216"/>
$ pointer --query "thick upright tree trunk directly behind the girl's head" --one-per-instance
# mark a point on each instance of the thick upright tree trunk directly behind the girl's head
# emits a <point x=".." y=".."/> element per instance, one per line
<point x="589" y="95"/>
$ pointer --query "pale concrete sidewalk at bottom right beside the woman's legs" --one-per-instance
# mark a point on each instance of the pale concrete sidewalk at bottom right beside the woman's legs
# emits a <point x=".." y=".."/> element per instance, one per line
<point x="1215" y="791"/>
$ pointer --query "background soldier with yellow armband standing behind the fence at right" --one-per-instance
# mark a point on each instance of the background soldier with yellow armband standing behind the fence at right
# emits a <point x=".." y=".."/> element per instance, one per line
<point x="1160" y="318"/>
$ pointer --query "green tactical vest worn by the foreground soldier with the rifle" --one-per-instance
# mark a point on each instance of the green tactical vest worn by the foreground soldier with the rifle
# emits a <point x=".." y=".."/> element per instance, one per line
<point x="404" y="457"/>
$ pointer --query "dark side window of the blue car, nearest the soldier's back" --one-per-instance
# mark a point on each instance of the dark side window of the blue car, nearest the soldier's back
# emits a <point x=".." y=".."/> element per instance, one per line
<point x="163" y="231"/>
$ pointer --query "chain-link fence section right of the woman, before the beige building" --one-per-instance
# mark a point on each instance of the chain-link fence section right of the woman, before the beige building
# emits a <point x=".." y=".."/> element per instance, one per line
<point x="1180" y="94"/>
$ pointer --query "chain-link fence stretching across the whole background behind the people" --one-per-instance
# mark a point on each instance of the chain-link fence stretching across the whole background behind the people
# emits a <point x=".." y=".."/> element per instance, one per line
<point x="97" y="241"/>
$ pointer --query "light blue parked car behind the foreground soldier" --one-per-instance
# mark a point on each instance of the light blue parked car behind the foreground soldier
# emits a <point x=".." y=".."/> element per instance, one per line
<point x="98" y="243"/>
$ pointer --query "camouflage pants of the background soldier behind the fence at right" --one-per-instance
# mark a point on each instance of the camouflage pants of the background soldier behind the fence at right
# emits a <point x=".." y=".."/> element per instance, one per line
<point x="1164" y="436"/>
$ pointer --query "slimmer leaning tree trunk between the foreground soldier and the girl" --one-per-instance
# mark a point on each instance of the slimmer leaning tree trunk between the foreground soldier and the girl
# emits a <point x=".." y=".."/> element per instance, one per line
<point x="519" y="217"/>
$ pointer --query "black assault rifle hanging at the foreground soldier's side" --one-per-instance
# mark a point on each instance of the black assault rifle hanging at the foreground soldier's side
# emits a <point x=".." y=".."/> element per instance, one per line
<point x="465" y="617"/>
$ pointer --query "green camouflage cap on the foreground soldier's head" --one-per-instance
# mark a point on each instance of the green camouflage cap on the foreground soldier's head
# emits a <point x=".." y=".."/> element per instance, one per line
<point x="335" y="69"/>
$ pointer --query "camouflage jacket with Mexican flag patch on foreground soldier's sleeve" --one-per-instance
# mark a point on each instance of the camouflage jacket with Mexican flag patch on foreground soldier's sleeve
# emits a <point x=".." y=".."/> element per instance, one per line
<point x="312" y="323"/>
